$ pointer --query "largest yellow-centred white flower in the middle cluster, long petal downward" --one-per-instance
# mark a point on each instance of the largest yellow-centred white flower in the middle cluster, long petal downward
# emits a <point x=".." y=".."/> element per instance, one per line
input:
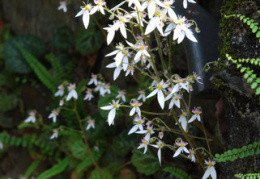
<point x="160" y="87"/>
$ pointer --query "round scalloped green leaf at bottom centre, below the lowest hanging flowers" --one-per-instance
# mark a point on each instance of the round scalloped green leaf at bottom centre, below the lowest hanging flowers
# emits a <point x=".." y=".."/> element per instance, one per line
<point x="145" y="163"/>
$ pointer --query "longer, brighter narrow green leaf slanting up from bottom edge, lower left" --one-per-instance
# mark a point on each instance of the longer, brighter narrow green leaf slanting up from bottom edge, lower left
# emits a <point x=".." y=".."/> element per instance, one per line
<point x="55" y="170"/>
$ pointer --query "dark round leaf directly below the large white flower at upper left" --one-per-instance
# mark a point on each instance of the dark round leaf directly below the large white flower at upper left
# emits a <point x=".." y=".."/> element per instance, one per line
<point x="89" y="41"/>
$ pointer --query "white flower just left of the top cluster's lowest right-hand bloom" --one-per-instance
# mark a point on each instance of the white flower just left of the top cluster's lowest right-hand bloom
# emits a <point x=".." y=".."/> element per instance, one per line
<point x="156" y="22"/>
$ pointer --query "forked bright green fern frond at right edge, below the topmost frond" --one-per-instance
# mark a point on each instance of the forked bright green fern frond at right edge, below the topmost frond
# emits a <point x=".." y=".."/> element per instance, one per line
<point x="249" y="74"/>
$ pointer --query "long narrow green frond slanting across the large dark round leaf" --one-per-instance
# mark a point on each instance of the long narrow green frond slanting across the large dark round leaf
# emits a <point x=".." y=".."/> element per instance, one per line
<point x="41" y="72"/>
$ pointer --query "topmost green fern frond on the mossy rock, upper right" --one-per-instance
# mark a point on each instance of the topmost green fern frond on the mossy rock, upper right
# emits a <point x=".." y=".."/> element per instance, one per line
<point x="250" y="22"/>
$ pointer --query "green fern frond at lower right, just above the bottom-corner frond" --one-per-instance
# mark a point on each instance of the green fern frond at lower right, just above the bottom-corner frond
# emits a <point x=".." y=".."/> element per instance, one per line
<point x="245" y="151"/>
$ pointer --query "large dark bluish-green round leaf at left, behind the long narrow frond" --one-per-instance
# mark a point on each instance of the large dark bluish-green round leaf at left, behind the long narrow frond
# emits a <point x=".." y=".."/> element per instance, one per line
<point x="13" y="57"/>
